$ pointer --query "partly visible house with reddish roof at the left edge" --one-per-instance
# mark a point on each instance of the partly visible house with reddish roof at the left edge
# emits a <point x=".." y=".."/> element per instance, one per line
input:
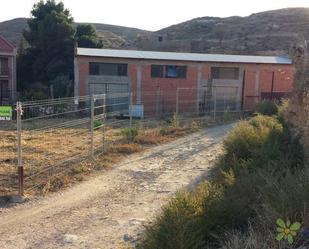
<point x="7" y="71"/>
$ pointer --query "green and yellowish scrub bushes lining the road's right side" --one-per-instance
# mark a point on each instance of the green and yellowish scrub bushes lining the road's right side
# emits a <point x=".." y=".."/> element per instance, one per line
<point x="260" y="178"/>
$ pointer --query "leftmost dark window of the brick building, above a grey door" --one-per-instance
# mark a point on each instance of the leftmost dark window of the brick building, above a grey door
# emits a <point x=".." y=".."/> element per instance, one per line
<point x="111" y="69"/>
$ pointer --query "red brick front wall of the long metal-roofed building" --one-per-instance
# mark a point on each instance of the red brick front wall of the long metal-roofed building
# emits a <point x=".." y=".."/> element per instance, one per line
<point x="168" y="87"/>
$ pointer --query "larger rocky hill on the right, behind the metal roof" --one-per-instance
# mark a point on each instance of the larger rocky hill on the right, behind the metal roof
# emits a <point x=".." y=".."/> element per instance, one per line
<point x="270" y="32"/>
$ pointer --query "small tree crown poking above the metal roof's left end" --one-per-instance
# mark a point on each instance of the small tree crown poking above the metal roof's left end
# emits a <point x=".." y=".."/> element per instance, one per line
<point x="86" y="37"/>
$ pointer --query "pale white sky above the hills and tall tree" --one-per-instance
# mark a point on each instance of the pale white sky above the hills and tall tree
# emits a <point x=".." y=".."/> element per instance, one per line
<point x="150" y="15"/>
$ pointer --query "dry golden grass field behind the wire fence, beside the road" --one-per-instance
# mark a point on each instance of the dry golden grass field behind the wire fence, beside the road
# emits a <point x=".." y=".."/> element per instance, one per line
<point x="55" y="158"/>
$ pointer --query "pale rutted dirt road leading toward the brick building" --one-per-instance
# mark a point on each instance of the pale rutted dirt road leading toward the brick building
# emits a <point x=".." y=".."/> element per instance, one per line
<point x="110" y="209"/>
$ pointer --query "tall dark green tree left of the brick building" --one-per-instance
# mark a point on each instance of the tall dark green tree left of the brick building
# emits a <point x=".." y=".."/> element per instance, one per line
<point x="51" y="39"/>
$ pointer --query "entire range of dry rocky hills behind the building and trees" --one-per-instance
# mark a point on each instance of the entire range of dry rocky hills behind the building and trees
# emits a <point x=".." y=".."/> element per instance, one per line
<point x="271" y="32"/>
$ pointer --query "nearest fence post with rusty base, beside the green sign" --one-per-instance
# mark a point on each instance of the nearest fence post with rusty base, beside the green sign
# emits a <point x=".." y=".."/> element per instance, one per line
<point x="20" y="167"/>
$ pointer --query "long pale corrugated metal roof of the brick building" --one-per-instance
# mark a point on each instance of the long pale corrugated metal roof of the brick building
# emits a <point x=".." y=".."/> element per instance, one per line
<point x="151" y="55"/>
